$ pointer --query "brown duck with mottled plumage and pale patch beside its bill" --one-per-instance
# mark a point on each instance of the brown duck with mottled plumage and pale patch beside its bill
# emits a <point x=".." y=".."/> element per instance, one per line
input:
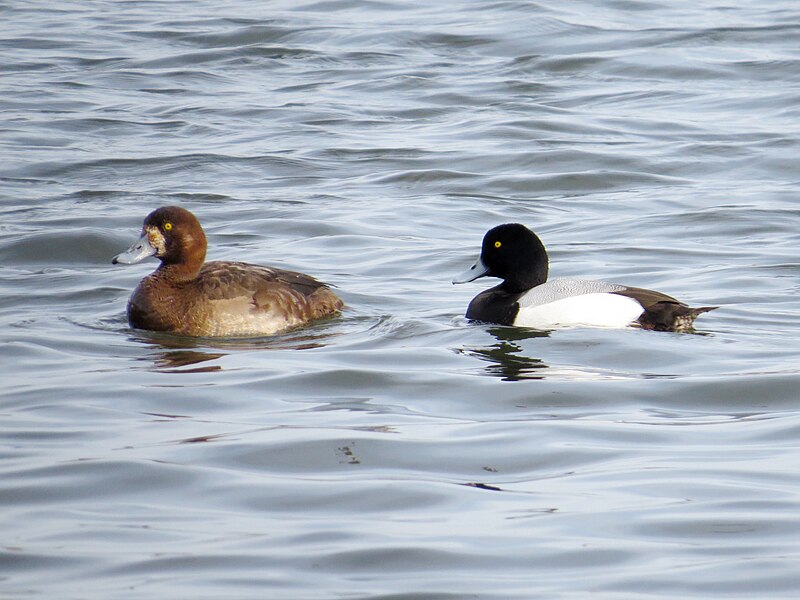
<point x="187" y="296"/>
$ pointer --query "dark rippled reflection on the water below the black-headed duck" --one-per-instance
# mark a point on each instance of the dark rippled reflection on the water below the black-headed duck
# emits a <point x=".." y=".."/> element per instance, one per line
<point x="503" y="358"/>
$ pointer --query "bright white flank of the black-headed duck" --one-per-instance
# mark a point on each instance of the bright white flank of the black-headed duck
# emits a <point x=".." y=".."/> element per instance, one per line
<point x="586" y="310"/>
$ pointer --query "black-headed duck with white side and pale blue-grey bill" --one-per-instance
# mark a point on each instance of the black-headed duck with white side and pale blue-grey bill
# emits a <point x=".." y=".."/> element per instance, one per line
<point x="526" y="298"/>
